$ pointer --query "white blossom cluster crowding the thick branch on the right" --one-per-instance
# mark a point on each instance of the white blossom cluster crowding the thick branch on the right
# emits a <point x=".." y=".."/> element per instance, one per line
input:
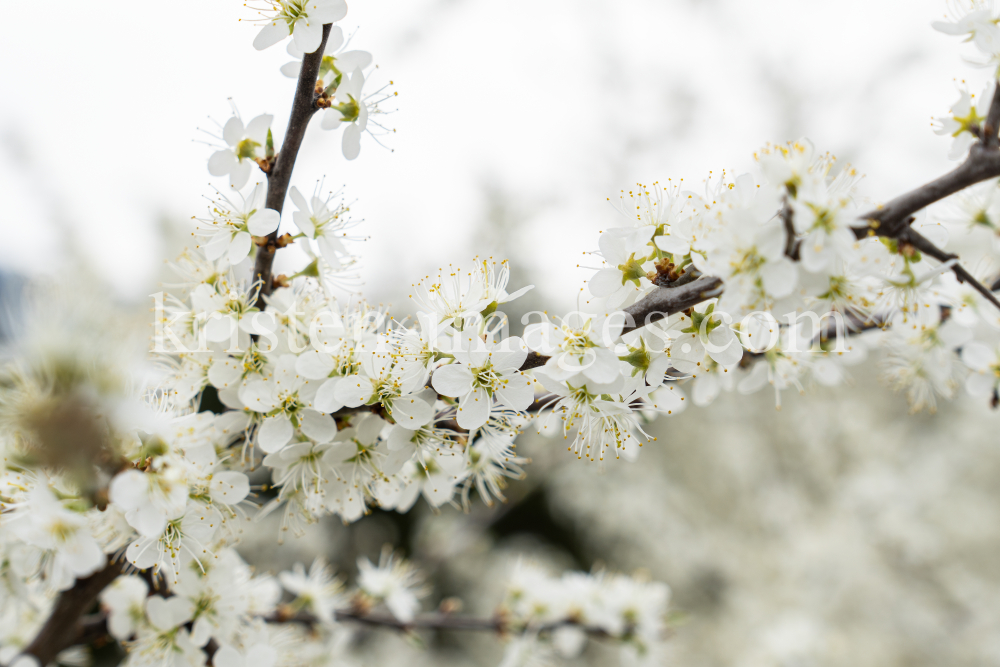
<point x="804" y="295"/>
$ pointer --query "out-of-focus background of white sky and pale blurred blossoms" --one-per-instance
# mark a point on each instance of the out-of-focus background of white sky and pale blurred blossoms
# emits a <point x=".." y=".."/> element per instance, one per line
<point x="838" y="531"/>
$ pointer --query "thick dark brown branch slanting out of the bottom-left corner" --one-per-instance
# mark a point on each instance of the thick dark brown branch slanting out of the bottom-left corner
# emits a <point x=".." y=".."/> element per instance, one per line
<point x="63" y="627"/>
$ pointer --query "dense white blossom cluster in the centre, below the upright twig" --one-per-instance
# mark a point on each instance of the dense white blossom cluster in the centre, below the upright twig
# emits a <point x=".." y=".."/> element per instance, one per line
<point x="340" y="402"/>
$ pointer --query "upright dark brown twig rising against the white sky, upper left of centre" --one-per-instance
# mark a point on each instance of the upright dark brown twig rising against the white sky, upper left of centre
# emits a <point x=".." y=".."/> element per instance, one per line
<point x="303" y="108"/>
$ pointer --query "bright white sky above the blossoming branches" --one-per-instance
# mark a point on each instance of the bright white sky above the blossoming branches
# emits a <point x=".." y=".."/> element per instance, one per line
<point x="556" y="104"/>
